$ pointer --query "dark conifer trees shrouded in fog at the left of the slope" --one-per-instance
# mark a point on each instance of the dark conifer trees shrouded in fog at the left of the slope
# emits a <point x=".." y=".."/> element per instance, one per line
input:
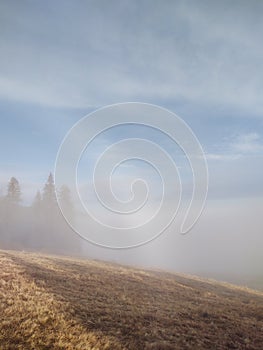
<point x="40" y="226"/>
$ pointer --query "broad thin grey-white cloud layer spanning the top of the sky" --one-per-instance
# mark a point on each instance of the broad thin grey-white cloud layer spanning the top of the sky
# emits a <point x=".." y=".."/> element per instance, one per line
<point x="180" y="50"/>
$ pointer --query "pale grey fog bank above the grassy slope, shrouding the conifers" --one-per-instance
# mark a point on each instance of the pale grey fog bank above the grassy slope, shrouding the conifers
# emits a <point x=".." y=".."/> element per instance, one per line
<point x="225" y="244"/>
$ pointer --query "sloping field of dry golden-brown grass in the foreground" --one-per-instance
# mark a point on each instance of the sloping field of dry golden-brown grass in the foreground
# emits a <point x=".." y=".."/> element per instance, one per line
<point x="50" y="302"/>
